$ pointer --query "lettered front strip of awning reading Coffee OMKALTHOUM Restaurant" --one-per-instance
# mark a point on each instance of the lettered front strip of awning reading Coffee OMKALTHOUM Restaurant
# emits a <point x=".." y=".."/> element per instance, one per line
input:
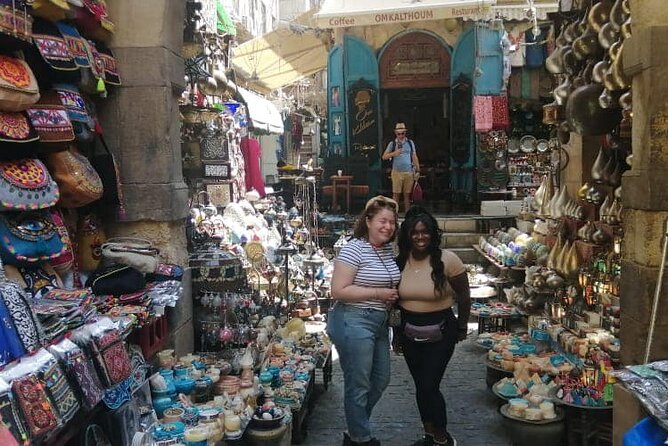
<point x="344" y="19"/>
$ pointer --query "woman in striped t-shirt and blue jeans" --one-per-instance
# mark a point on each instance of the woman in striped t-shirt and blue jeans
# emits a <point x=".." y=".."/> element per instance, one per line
<point x="364" y="286"/>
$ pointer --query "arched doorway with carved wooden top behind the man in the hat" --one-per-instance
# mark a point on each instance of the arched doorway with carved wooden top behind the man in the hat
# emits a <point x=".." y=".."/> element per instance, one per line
<point x="414" y="71"/>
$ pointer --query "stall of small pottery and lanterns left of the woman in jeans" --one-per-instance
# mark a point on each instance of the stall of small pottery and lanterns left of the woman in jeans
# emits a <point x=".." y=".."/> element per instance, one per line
<point x="258" y="282"/>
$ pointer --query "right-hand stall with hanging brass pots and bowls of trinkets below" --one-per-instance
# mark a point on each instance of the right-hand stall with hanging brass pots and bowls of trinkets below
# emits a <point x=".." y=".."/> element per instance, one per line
<point x="556" y="368"/>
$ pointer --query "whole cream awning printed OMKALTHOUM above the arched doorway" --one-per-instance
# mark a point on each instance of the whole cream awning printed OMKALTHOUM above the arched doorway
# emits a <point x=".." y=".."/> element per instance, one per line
<point x="343" y="13"/>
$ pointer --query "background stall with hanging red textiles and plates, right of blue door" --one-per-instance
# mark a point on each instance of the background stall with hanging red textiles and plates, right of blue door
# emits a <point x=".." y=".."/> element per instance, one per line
<point x="515" y="149"/>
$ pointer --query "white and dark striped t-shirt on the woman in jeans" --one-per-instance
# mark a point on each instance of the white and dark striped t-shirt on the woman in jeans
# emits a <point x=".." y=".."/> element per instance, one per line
<point x="376" y="268"/>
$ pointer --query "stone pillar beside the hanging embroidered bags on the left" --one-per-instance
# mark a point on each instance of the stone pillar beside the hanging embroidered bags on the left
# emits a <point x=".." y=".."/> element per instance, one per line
<point x="141" y="124"/>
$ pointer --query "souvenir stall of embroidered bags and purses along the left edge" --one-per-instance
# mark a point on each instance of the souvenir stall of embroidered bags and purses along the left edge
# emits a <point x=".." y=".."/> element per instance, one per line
<point x="81" y="312"/>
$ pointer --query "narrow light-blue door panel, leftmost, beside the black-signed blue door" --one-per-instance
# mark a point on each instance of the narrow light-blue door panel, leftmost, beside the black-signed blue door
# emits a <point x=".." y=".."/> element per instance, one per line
<point x="336" y="94"/>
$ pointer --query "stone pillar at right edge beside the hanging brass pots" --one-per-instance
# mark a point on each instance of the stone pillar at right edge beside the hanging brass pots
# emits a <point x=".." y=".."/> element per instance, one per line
<point x="644" y="186"/>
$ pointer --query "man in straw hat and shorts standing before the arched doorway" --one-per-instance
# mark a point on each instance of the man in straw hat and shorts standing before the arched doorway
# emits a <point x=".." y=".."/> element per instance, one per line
<point x="405" y="164"/>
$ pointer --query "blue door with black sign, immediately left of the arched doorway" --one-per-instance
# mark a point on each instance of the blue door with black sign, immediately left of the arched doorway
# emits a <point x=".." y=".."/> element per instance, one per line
<point x="361" y="64"/>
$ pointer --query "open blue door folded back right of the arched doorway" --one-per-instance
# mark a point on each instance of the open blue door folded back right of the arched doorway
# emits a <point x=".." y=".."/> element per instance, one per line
<point x="477" y="69"/>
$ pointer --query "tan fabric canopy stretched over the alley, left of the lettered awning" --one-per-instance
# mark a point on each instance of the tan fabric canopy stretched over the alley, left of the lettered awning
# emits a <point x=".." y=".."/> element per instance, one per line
<point x="283" y="56"/>
